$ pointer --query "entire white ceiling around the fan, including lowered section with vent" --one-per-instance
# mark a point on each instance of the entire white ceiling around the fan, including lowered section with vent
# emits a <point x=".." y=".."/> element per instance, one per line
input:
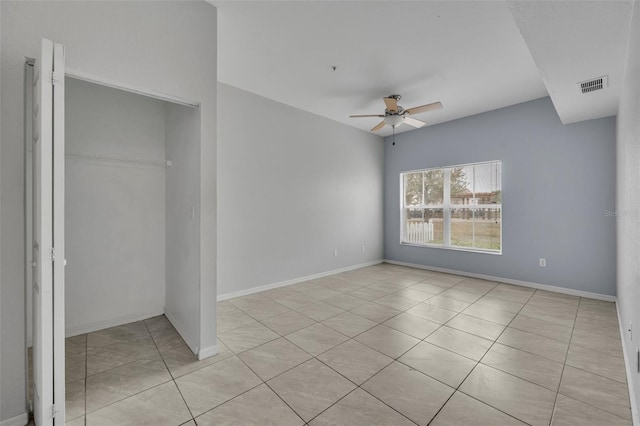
<point x="471" y="56"/>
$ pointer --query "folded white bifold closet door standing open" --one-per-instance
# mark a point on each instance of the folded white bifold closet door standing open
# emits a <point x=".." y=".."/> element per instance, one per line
<point x="48" y="236"/>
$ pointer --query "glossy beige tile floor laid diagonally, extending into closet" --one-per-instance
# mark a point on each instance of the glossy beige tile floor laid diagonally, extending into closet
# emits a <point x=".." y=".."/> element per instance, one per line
<point x="383" y="345"/>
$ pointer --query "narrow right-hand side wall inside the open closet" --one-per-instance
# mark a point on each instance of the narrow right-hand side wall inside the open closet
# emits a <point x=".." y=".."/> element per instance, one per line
<point x="182" y="227"/>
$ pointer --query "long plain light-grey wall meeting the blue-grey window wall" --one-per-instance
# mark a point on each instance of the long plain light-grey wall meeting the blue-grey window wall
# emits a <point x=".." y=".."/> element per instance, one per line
<point x="292" y="187"/>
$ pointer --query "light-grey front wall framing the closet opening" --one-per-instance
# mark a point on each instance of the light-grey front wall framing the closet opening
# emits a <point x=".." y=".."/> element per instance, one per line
<point x="165" y="46"/>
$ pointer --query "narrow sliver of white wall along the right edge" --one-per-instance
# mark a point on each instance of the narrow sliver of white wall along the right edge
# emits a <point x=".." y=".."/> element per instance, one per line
<point x="628" y="206"/>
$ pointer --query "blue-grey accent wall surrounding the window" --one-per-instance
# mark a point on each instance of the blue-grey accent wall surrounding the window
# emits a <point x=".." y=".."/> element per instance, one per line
<point x="557" y="180"/>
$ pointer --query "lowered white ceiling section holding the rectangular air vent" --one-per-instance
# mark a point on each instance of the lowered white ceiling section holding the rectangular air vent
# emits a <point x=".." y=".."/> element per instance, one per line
<point x="574" y="41"/>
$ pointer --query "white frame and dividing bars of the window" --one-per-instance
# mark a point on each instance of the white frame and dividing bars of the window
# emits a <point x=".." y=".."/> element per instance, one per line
<point x="446" y="207"/>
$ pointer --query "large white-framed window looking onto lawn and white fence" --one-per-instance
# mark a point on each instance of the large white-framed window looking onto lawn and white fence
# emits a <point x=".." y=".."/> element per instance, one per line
<point x="456" y="207"/>
